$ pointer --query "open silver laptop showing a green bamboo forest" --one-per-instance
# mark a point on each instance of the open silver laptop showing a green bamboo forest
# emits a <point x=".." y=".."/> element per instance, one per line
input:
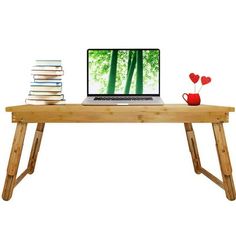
<point x="123" y="77"/>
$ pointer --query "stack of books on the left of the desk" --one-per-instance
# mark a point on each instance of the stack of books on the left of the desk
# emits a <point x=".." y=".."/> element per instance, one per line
<point x="47" y="86"/>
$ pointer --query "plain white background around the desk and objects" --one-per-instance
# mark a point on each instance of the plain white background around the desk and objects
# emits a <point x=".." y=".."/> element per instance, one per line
<point x="118" y="179"/>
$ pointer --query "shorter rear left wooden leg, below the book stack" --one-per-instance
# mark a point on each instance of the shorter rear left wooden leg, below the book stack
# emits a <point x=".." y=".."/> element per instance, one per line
<point x="35" y="147"/>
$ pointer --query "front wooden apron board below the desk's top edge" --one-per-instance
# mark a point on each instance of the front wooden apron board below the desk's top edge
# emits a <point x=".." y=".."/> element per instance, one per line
<point x="112" y="117"/>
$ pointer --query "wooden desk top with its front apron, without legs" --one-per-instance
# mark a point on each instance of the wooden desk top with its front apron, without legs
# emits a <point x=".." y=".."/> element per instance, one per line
<point x="178" y="113"/>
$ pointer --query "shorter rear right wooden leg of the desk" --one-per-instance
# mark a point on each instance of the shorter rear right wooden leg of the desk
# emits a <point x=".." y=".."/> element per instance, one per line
<point x="193" y="147"/>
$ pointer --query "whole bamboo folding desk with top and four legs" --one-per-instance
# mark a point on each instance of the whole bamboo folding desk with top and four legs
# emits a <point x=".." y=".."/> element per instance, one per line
<point x="77" y="113"/>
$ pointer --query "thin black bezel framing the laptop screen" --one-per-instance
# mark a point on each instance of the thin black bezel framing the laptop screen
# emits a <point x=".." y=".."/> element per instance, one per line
<point x="149" y="94"/>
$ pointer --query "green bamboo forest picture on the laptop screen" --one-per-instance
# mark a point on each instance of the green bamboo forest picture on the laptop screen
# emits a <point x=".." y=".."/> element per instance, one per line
<point x="123" y="71"/>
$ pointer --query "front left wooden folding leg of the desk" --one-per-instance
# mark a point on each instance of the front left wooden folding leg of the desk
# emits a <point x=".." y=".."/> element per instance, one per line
<point x="14" y="160"/>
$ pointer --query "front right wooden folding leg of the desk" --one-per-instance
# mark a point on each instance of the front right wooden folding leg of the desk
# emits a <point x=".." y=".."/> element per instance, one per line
<point x="224" y="160"/>
